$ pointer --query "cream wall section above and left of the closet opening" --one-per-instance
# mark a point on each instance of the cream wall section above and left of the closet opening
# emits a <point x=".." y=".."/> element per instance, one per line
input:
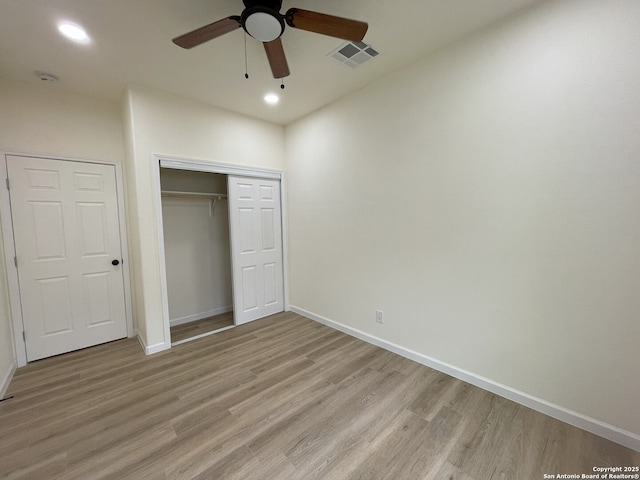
<point x="164" y="124"/>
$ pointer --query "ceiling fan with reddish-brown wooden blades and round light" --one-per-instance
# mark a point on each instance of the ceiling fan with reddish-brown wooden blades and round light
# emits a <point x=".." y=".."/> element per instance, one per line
<point x="263" y="21"/>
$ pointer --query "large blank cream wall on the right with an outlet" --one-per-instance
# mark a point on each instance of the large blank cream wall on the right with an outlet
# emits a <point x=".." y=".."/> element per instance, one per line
<point x="486" y="199"/>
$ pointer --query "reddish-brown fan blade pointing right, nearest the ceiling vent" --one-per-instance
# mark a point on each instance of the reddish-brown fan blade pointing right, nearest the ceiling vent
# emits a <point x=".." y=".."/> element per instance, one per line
<point x="326" y="24"/>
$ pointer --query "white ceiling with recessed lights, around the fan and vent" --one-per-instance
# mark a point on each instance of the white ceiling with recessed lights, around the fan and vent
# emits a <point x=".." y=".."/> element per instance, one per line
<point x="131" y="43"/>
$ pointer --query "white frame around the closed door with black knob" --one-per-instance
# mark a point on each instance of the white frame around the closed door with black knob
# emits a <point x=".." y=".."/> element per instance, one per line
<point x="10" y="248"/>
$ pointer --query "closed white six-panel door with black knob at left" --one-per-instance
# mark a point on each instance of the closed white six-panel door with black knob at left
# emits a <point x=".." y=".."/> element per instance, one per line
<point x="67" y="234"/>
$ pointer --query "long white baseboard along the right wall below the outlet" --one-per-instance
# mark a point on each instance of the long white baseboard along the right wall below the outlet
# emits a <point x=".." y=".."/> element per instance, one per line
<point x="615" y="434"/>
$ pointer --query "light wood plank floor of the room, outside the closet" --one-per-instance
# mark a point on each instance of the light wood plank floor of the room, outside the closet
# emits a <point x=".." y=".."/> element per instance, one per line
<point x="281" y="398"/>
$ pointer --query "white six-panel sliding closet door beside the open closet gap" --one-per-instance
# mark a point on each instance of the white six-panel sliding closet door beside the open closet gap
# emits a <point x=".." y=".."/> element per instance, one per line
<point x="256" y="246"/>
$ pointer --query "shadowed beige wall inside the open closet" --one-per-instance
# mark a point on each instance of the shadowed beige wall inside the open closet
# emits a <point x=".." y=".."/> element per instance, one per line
<point x="197" y="248"/>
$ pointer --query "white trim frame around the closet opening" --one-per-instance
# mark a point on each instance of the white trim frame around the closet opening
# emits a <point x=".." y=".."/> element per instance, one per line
<point x="166" y="161"/>
